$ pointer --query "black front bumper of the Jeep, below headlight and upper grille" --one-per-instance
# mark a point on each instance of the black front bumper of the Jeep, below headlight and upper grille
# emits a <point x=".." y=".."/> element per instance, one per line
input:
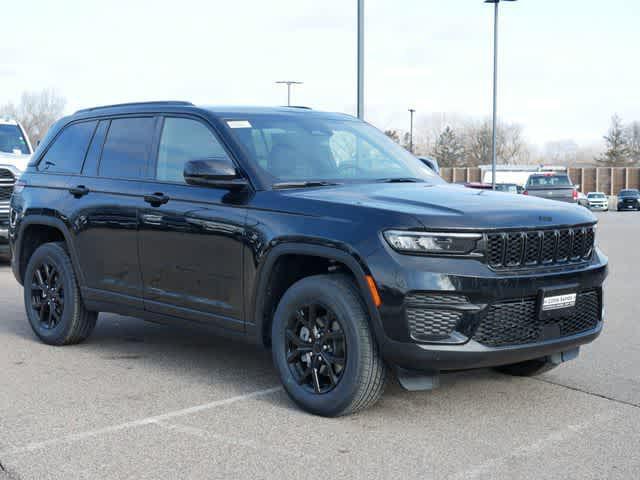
<point x="483" y="290"/>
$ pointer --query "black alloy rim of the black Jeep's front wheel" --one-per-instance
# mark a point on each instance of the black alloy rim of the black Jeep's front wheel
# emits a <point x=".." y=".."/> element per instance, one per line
<point x="315" y="347"/>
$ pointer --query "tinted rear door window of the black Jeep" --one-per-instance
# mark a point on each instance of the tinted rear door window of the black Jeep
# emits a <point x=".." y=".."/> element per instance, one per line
<point x="128" y="148"/>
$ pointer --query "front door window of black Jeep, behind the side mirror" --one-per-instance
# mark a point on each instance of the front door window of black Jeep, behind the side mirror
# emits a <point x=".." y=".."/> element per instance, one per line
<point x="184" y="140"/>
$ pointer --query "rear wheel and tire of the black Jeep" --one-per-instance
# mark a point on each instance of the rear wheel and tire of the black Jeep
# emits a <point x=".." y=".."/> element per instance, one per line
<point x="52" y="298"/>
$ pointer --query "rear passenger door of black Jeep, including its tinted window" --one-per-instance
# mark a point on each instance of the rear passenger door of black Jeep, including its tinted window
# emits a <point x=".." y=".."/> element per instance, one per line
<point x="106" y="203"/>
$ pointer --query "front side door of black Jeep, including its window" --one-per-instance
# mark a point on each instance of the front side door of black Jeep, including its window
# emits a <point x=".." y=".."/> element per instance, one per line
<point x="191" y="237"/>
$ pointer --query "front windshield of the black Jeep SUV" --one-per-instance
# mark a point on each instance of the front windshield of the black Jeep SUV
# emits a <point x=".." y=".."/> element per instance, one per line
<point x="313" y="148"/>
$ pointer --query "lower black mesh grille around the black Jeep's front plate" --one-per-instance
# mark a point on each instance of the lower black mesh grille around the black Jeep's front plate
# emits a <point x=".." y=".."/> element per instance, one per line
<point x="517" y="322"/>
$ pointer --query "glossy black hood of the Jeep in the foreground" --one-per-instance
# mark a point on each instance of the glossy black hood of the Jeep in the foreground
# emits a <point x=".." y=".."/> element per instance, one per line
<point x="449" y="206"/>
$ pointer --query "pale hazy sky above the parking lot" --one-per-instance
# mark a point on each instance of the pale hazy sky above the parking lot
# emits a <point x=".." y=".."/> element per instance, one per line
<point x="566" y="65"/>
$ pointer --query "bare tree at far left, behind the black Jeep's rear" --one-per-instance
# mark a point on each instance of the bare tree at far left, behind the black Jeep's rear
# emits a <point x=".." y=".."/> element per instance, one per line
<point x="37" y="111"/>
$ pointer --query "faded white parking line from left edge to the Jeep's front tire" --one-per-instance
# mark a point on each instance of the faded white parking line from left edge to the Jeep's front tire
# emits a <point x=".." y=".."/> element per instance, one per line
<point x="74" y="437"/>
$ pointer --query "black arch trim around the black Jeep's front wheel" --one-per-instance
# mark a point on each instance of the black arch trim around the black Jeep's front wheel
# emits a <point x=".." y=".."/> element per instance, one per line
<point x="264" y="304"/>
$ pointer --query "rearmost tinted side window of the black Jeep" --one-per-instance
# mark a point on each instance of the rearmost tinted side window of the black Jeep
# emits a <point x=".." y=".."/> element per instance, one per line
<point x="67" y="152"/>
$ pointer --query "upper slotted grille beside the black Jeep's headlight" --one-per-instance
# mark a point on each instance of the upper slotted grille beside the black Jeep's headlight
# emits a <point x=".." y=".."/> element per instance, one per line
<point x="515" y="250"/>
